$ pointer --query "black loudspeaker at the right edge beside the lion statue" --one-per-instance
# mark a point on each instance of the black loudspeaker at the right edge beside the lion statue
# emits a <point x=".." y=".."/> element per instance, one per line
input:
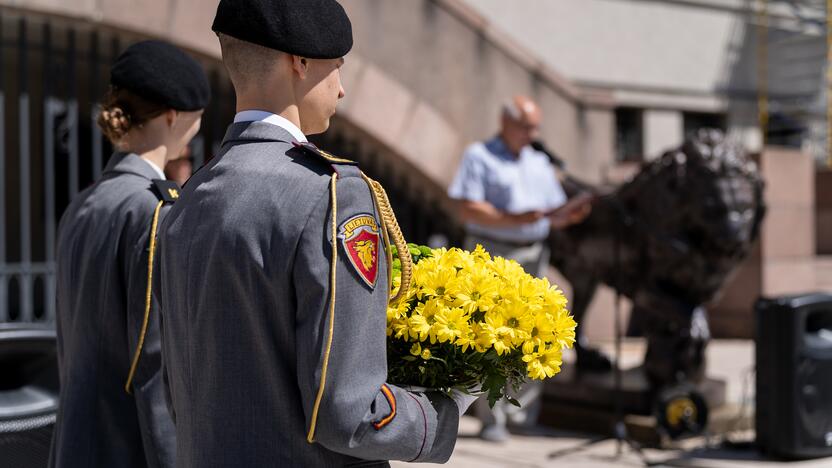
<point x="794" y="376"/>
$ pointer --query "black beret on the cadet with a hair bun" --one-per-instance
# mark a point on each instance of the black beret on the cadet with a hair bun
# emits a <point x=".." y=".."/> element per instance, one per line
<point x="162" y="73"/>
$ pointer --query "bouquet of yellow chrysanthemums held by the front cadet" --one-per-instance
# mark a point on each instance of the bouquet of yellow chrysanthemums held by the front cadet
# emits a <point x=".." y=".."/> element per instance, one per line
<point x="474" y="323"/>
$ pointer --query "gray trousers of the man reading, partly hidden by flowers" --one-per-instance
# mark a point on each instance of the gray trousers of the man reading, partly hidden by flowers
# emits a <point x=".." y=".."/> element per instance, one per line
<point x="534" y="259"/>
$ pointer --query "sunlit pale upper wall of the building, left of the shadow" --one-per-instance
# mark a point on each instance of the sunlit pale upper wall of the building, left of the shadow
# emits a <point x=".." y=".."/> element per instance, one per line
<point x="655" y="44"/>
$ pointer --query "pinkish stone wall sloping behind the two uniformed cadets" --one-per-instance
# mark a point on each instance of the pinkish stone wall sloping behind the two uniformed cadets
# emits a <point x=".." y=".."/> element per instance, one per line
<point x="425" y="78"/>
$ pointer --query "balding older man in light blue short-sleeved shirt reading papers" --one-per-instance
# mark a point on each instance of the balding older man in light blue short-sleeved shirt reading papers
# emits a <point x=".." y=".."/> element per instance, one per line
<point x="508" y="195"/>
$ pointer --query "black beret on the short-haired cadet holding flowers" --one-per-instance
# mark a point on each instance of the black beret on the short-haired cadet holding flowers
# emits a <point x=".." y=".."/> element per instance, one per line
<point x="308" y="28"/>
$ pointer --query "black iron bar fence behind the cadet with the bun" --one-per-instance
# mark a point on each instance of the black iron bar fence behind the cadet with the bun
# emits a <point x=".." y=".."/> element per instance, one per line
<point x="52" y="76"/>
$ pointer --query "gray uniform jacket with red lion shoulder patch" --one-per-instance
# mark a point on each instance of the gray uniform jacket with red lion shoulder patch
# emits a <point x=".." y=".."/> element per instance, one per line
<point x="245" y="291"/>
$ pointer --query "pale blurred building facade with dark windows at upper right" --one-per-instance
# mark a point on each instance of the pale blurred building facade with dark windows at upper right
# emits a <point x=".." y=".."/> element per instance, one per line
<point x="672" y="66"/>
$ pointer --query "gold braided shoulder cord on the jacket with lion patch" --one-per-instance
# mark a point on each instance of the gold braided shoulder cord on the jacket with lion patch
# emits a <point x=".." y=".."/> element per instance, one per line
<point x="390" y="227"/>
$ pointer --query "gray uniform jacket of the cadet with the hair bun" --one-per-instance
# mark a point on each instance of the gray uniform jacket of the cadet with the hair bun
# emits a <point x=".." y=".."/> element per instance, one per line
<point x="102" y="278"/>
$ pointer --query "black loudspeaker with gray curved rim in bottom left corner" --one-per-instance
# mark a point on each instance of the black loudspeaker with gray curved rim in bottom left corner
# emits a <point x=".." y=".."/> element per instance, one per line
<point x="28" y="394"/>
